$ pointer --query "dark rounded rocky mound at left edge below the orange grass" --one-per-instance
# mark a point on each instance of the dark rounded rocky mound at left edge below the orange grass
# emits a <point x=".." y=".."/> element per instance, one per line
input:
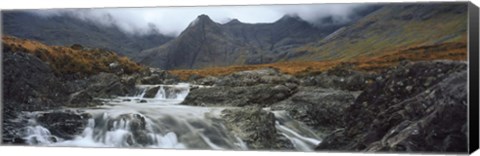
<point x="29" y="84"/>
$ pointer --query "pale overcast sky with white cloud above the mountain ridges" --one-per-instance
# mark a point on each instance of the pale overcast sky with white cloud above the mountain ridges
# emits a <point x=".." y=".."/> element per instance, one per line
<point x="173" y="20"/>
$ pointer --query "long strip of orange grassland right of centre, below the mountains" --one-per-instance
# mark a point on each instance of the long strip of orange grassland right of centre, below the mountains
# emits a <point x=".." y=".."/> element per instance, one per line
<point x="444" y="51"/>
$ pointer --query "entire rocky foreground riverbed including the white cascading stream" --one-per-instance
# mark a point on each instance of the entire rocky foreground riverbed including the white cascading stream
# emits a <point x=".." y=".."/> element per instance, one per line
<point x="415" y="107"/>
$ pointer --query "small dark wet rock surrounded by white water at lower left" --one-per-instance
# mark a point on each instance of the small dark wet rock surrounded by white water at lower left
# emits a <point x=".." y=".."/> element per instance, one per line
<point x="64" y="124"/>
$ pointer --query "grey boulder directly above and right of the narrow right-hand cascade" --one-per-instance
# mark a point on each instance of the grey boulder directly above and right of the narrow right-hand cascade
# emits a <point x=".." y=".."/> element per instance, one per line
<point x="317" y="107"/>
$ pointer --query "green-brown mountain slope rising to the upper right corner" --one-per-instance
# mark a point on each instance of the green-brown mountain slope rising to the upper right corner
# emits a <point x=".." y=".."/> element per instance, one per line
<point x="392" y="27"/>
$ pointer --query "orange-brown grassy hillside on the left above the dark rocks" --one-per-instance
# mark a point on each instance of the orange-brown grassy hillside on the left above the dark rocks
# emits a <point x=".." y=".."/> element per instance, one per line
<point x="73" y="60"/>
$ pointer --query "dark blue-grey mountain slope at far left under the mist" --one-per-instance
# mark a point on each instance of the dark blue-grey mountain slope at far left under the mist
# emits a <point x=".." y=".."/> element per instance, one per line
<point x="67" y="30"/>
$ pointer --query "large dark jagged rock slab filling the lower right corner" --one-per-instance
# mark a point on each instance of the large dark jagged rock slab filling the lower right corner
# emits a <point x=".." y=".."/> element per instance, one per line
<point x="434" y="121"/>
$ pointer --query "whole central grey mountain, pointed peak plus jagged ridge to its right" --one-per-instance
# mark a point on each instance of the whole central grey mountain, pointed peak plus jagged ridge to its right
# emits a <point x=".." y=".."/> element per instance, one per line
<point x="206" y="43"/>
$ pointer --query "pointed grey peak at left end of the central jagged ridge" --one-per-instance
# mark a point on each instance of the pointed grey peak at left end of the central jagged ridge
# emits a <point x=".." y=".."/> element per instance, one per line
<point x="203" y="43"/>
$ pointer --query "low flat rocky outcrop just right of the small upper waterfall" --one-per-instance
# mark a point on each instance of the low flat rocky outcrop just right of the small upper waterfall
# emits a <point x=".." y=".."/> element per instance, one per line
<point x="260" y="87"/>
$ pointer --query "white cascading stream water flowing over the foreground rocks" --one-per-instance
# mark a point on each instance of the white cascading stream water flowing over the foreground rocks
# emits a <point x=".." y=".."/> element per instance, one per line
<point x="159" y="122"/>
